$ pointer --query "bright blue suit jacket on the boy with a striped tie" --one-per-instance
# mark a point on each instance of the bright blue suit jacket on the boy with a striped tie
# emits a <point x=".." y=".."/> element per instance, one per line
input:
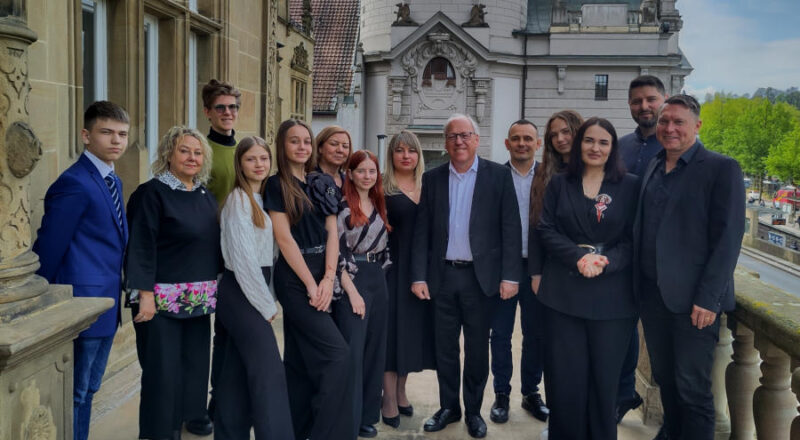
<point x="81" y="242"/>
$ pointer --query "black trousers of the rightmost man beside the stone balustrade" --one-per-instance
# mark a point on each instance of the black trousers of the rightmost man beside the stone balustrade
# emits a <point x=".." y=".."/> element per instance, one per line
<point x="681" y="357"/>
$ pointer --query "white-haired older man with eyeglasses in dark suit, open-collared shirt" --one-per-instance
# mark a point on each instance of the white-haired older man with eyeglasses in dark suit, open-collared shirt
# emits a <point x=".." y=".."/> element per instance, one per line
<point x="466" y="251"/>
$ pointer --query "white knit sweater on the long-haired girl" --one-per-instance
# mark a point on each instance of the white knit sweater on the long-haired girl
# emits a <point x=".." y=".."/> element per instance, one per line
<point x="246" y="249"/>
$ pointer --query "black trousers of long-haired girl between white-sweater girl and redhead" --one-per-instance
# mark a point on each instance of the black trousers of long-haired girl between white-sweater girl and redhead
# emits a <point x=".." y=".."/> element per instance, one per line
<point x="316" y="358"/>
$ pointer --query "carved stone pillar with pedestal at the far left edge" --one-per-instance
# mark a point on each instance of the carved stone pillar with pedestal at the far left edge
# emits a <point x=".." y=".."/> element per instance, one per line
<point x="37" y="322"/>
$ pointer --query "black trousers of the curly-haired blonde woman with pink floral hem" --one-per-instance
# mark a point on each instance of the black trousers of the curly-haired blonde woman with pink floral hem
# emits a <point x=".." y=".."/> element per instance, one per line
<point x="174" y="355"/>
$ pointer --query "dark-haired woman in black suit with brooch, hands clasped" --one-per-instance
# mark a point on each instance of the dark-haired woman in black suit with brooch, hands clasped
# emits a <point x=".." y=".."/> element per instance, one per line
<point x="586" y="231"/>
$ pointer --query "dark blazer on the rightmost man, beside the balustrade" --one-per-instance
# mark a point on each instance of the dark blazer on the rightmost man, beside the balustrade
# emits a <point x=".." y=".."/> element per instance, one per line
<point x="700" y="234"/>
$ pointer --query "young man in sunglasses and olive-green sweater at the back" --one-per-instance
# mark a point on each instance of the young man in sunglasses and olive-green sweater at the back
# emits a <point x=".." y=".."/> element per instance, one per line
<point x="221" y="103"/>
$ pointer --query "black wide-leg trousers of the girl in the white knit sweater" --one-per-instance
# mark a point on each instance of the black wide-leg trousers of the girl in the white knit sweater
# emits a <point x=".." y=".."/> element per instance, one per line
<point x="251" y="386"/>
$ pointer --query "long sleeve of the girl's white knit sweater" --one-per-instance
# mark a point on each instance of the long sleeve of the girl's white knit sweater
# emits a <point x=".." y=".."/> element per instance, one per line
<point x="239" y="232"/>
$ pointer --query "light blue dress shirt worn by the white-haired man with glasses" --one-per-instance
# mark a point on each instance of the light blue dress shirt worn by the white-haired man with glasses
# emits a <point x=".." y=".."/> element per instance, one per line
<point x="462" y="187"/>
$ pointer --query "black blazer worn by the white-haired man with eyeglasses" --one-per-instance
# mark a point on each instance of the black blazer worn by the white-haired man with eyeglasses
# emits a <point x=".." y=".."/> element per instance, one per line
<point x="494" y="228"/>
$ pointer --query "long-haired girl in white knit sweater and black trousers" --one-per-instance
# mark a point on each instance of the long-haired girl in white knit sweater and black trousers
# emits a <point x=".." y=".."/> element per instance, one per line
<point x="251" y="387"/>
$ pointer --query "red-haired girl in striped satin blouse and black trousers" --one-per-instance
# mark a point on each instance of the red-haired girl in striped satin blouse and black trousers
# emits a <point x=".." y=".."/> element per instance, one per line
<point x="361" y="314"/>
